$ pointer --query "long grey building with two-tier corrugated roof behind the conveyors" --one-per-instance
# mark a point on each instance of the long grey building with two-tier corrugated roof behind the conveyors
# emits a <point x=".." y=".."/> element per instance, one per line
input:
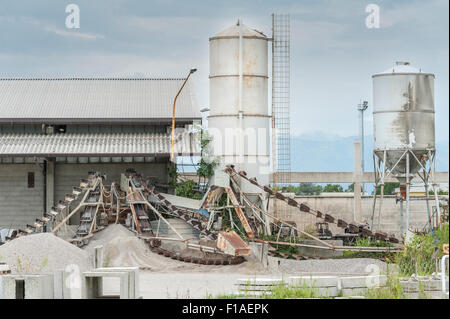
<point x="54" y="131"/>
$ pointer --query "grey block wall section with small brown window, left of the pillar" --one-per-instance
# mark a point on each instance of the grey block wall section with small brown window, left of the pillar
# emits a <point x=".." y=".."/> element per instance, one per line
<point x="19" y="204"/>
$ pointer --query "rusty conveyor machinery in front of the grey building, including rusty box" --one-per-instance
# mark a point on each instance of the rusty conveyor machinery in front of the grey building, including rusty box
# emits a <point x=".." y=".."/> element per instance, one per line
<point x="100" y="205"/>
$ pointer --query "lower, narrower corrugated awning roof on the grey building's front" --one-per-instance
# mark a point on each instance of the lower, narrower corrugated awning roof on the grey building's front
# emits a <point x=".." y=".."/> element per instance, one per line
<point x="130" y="144"/>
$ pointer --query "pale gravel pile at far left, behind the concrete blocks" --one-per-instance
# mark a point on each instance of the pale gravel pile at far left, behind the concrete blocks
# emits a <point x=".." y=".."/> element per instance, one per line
<point x="42" y="252"/>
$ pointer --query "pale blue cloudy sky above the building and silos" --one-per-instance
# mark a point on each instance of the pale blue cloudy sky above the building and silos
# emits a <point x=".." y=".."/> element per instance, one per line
<point x="333" y="53"/>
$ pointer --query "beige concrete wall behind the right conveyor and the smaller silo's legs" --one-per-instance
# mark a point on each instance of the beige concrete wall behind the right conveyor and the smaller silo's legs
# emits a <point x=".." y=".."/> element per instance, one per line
<point x="342" y="207"/>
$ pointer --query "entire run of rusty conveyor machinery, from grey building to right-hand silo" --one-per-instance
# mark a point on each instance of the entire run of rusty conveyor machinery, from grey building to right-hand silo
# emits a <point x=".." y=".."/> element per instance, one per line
<point x="136" y="202"/>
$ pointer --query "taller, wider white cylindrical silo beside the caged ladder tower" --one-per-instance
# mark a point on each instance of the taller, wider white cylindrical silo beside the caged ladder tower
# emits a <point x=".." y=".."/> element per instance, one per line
<point x="239" y="120"/>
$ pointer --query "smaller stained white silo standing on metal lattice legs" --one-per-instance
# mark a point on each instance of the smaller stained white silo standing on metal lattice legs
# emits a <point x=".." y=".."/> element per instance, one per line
<point x="404" y="131"/>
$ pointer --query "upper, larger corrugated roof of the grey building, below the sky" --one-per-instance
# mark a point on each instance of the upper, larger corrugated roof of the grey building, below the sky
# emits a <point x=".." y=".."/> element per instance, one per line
<point x="95" y="99"/>
